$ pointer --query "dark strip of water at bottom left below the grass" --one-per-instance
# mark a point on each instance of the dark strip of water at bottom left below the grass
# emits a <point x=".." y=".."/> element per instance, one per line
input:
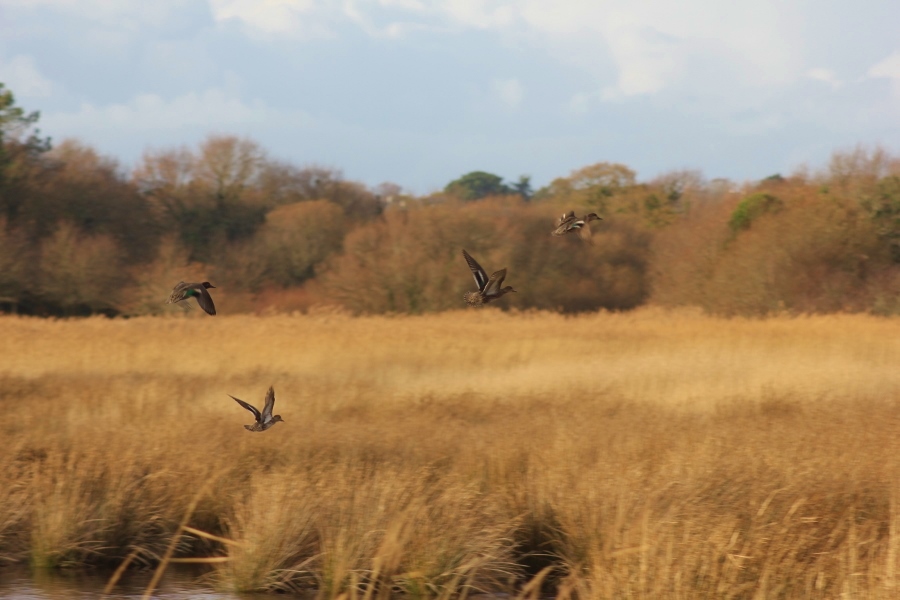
<point x="20" y="584"/>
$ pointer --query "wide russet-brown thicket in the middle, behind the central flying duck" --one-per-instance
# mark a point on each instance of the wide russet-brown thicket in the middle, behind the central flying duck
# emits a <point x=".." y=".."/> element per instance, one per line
<point x="411" y="261"/>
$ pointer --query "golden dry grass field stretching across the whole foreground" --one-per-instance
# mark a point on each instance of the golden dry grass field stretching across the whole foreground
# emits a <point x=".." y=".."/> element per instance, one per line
<point x="649" y="454"/>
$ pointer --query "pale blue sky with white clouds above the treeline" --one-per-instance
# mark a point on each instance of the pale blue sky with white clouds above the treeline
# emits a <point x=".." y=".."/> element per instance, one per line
<point x="418" y="92"/>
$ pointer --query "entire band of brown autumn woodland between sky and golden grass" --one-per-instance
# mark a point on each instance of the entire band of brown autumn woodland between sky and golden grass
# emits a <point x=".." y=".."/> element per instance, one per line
<point x="80" y="235"/>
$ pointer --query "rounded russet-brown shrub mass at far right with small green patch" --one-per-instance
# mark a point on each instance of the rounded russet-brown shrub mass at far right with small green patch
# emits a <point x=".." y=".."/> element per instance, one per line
<point x="814" y="253"/>
